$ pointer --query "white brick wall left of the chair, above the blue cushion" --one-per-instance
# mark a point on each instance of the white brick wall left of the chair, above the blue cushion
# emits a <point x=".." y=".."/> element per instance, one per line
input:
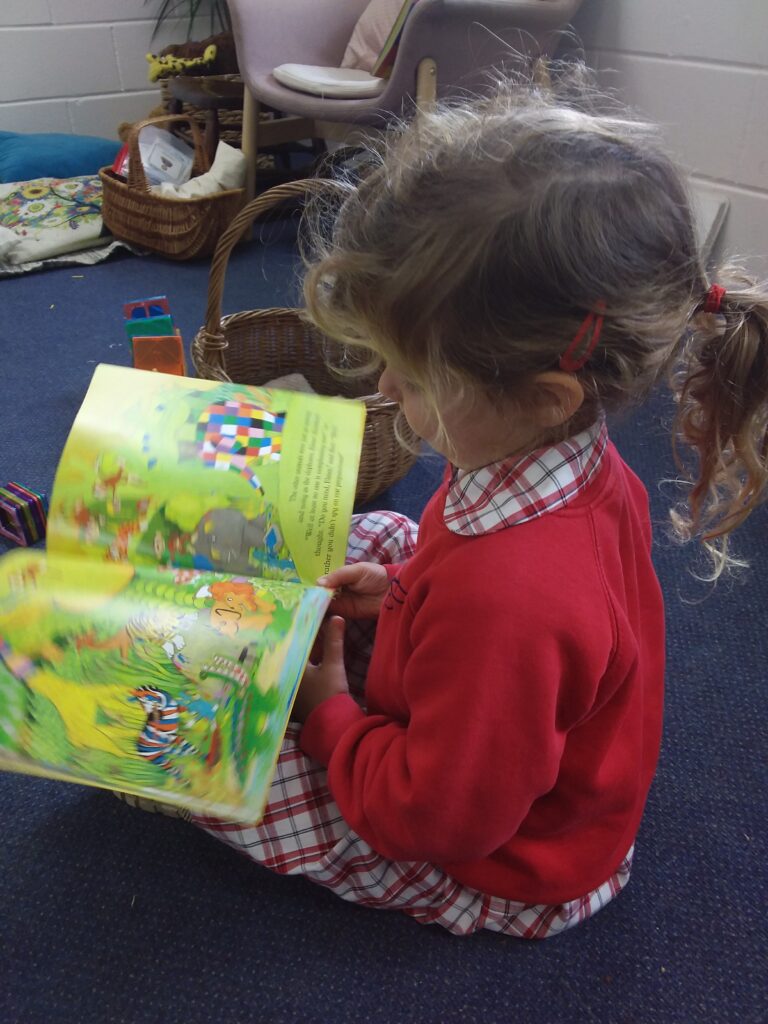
<point x="79" y="66"/>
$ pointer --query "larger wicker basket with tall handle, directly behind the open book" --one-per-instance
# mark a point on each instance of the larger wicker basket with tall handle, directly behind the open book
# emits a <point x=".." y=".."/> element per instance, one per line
<point x="259" y="346"/>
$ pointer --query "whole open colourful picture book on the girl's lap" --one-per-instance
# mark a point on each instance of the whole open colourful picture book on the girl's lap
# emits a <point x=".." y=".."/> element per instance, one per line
<point x="157" y="648"/>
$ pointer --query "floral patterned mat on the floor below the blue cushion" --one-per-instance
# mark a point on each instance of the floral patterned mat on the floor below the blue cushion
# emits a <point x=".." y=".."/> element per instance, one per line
<point x="53" y="221"/>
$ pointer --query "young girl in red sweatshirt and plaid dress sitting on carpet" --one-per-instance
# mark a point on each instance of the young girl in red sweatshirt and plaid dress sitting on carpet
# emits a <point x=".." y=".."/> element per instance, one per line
<point x="520" y="268"/>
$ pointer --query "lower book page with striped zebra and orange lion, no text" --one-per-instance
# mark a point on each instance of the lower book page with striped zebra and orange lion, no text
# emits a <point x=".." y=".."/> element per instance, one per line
<point x="174" y="685"/>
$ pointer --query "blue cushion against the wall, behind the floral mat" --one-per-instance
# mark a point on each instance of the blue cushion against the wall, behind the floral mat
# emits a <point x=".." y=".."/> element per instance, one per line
<point x="53" y="156"/>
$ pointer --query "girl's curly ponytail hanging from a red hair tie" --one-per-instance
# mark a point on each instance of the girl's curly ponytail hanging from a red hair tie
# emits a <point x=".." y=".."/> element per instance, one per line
<point x="720" y="382"/>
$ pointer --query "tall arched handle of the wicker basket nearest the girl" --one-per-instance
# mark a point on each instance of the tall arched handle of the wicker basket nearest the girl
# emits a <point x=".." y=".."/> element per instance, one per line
<point x="214" y="340"/>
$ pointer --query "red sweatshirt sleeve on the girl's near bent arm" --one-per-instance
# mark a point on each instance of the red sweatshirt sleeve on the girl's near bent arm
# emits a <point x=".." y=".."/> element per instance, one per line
<point x="455" y="778"/>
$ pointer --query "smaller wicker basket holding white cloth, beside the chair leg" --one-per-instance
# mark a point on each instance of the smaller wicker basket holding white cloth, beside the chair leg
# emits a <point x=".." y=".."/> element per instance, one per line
<point x="180" y="229"/>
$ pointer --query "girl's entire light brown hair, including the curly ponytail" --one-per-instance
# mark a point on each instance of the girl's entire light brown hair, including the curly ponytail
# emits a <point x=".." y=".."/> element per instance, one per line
<point x="487" y="232"/>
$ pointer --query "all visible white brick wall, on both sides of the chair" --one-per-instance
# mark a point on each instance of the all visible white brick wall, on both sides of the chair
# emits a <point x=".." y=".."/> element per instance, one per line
<point x="698" y="67"/>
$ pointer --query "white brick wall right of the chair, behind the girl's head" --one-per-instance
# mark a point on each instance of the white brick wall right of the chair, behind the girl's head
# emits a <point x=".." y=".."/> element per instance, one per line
<point x="700" y="68"/>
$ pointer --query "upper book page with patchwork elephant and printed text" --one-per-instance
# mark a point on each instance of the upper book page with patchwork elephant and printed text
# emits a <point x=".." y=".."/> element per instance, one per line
<point x="202" y="476"/>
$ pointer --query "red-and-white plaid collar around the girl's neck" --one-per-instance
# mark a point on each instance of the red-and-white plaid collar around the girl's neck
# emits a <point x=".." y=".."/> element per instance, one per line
<point x="515" y="491"/>
